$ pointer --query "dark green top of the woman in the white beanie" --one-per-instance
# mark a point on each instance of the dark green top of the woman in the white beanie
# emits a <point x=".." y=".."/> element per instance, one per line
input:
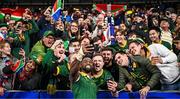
<point x="62" y="77"/>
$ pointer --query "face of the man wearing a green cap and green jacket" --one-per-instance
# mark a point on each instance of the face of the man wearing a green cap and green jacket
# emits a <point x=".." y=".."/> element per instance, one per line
<point x="48" y="41"/>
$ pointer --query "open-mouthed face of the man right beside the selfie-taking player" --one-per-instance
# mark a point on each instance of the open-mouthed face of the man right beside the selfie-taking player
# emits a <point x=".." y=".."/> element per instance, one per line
<point x="98" y="63"/>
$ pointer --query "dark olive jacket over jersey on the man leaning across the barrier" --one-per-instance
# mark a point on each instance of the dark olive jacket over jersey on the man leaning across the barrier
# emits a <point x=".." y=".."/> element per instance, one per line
<point x="139" y="73"/>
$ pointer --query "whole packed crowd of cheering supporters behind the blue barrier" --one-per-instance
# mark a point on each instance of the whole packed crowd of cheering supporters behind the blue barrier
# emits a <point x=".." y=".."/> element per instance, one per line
<point x="135" y="49"/>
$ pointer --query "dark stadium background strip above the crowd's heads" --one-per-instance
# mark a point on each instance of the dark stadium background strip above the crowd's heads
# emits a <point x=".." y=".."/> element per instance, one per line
<point x="88" y="3"/>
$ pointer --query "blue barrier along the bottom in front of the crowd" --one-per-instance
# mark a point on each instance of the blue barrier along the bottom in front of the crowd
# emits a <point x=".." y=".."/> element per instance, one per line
<point x="101" y="95"/>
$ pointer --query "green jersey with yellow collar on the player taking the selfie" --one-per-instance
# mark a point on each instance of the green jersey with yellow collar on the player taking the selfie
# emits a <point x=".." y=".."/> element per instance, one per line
<point x="84" y="88"/>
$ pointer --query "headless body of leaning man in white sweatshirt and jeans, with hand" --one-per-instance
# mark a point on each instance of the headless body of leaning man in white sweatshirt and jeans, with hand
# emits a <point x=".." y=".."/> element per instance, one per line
<point x="167" y="63"/>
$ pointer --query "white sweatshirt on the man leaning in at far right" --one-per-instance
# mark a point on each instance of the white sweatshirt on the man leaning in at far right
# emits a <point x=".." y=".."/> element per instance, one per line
<point x="169" y="68"/>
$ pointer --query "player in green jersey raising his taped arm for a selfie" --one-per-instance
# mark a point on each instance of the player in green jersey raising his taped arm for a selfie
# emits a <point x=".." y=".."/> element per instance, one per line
<point x="80" y="76"/>
